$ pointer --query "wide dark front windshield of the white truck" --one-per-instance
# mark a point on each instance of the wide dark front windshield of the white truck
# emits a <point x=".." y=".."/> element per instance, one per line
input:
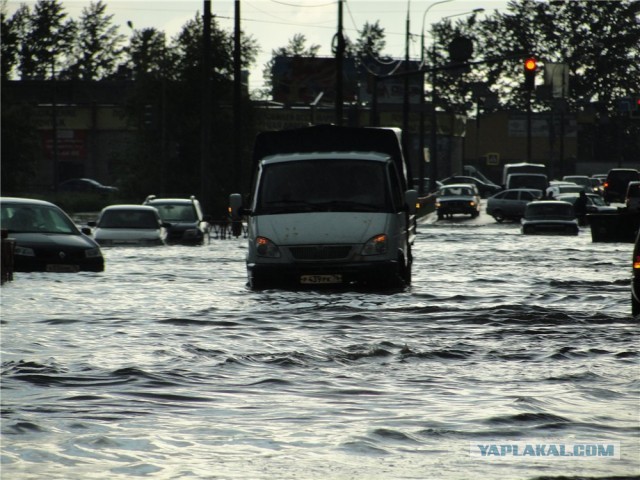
<point x="323" y="185"/>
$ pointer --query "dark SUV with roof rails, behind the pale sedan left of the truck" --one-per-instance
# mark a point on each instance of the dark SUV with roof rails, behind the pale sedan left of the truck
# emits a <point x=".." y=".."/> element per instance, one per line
<point x="188" y="225"/>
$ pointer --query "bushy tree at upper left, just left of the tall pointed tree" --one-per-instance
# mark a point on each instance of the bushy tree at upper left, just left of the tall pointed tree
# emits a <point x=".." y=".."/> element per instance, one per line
<point x="46" y="41"/>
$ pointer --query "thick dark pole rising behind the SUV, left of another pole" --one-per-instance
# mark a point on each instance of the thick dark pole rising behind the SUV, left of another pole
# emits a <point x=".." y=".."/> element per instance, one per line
<point x="205" y="132"/>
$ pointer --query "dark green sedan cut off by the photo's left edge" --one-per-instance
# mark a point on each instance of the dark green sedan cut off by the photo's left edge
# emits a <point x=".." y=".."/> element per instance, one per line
<point x="47" y="240"/>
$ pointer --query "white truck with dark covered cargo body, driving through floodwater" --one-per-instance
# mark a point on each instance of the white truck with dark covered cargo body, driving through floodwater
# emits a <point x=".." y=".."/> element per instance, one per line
<point x="329" y="205"/>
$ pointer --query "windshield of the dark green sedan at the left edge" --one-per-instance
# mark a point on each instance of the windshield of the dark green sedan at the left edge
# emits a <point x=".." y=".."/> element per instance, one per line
<point x="35" y="219"/>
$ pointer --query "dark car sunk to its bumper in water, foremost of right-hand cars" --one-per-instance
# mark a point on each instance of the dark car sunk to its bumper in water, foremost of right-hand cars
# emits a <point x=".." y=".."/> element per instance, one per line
<point x="549" y="217"/>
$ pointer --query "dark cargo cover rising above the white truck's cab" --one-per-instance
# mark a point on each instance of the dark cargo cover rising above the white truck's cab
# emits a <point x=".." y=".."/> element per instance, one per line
<point x="333" y="138"/>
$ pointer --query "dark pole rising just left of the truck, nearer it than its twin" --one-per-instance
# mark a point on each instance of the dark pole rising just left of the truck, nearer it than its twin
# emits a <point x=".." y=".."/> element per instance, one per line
<point x="237" y="102"/>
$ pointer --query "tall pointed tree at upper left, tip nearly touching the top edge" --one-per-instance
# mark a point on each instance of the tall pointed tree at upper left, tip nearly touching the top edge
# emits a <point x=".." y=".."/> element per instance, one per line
<point x="96" y="48"/>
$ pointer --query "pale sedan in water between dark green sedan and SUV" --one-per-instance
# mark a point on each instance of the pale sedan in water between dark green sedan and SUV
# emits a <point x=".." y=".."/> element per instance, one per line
<point x="129" y="225"/>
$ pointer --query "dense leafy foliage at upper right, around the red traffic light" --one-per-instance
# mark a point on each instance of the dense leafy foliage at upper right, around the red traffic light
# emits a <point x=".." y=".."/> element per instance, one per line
<point x="599" y="41"/>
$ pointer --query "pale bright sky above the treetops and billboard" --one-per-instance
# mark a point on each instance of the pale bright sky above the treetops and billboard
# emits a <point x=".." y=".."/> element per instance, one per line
<point x="274" y="22"/>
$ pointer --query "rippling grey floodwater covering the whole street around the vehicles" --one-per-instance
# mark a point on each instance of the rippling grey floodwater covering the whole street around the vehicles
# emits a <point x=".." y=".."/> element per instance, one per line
<point x="166" y="366"/>
